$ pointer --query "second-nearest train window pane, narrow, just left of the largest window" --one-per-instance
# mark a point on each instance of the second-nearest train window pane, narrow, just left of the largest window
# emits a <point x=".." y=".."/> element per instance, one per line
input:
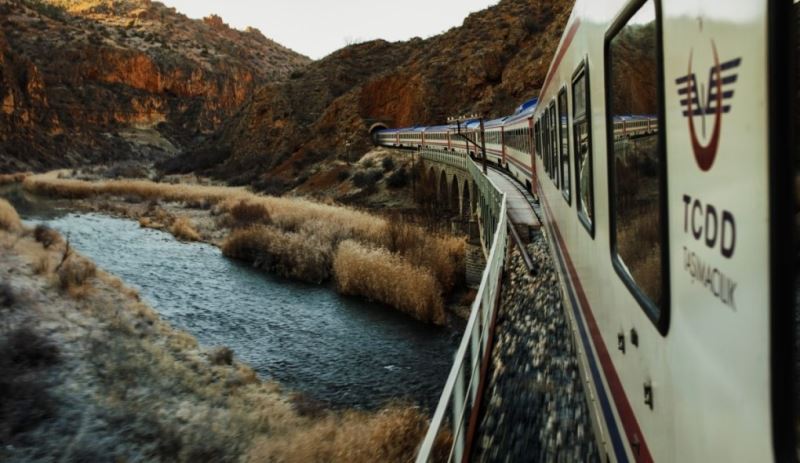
<point x="581" y="133"/>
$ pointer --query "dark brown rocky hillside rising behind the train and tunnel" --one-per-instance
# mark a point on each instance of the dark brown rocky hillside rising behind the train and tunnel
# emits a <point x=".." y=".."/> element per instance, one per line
<point x="495" y="60"/>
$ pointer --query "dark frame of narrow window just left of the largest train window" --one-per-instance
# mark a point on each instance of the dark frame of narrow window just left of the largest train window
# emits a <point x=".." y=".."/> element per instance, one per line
<point x="583" y="71"/>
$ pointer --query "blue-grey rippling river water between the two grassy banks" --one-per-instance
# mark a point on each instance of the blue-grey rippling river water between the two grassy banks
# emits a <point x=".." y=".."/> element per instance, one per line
<point x="339" y="350"/>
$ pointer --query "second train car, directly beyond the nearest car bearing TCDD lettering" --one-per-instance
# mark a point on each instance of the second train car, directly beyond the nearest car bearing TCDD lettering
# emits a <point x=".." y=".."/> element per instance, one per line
<point x="518" y="143"/>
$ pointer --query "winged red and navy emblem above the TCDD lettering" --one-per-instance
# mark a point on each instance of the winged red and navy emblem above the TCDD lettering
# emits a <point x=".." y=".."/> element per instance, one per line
<point x="697" y="103"/>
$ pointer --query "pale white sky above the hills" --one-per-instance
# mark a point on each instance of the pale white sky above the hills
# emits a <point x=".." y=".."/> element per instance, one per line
<point x="316" y="28"/>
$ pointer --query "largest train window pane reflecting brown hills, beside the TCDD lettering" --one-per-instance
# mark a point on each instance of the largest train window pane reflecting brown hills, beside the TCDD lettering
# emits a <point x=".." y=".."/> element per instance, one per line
<point x="636" y="161"/>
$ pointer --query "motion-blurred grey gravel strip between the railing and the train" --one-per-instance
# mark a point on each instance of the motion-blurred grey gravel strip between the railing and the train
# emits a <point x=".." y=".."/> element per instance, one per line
<point x="534" y="403"/>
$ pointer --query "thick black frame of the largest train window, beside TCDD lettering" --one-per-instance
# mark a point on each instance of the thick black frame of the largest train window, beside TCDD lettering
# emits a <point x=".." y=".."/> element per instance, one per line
<point x="659" y="316"/>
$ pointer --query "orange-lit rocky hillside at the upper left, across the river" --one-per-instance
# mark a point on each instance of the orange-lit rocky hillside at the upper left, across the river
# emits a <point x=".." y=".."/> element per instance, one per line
<point x="98" y="80"/>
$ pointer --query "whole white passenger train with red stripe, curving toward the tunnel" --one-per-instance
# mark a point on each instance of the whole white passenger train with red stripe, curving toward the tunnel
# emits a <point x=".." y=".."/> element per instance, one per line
<point x="660" y="149"/>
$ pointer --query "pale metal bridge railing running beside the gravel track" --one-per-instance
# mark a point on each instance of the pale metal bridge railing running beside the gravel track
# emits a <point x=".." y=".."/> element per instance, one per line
<point x="450" y="422"/>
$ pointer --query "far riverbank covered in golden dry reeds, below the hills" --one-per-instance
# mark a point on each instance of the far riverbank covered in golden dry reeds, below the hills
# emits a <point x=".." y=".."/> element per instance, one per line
<point x="291" y="237"/>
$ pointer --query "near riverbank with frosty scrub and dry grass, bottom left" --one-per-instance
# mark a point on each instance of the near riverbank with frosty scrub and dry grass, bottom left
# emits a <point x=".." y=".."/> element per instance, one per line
<point x="90" y="372"/>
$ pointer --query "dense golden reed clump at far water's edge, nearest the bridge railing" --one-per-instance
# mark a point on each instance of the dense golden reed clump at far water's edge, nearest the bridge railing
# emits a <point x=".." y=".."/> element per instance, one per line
<point x="385" y="277"/>
